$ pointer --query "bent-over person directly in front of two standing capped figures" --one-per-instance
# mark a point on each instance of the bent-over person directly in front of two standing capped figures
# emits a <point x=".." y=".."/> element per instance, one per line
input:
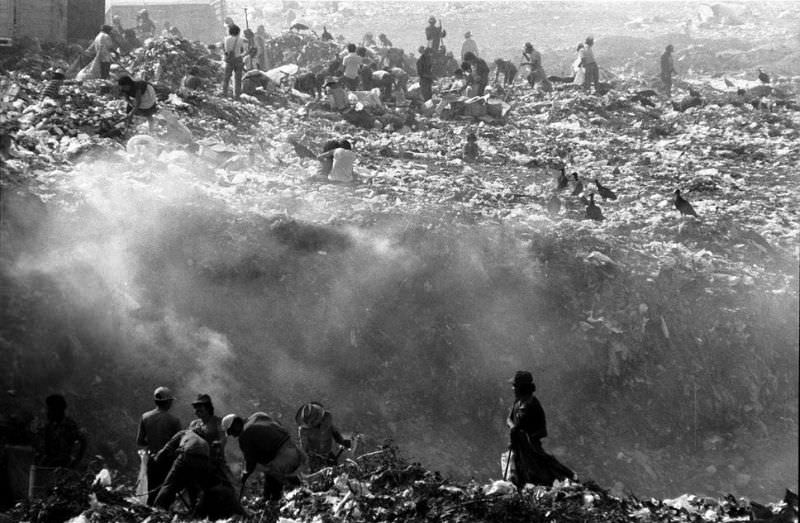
<point x="186" y="457"/>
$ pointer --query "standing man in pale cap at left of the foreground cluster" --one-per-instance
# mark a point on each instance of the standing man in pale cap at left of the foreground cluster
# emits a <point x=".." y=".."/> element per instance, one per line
<point x="156" y="428"/>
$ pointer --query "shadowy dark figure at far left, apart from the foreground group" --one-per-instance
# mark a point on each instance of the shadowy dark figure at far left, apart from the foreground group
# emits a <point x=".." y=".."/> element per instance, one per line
<point x="59" y="442"/>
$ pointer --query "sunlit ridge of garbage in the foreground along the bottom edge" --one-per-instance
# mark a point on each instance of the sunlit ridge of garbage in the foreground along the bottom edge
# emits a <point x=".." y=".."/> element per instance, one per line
<point x="380" y="486"/>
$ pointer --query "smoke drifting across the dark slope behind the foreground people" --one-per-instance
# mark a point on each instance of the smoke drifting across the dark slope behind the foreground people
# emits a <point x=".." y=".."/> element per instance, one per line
<point x="137" y="277"/>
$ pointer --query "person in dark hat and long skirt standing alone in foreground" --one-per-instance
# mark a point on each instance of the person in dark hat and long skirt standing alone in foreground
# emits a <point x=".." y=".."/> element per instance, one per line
<point x="527" y="426"/>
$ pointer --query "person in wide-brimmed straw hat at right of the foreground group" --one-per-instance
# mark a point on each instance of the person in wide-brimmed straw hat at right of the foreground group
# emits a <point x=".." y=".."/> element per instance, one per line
<point x="317" y="434"/>
